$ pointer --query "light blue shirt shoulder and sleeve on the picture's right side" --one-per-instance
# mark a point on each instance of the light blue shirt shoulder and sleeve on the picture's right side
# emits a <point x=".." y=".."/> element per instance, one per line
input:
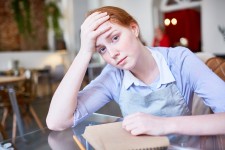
<point x="194" y="76"/>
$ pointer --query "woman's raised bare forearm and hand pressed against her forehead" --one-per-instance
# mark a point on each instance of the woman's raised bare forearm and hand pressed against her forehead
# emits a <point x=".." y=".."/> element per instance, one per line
<point x="64" y="101"/>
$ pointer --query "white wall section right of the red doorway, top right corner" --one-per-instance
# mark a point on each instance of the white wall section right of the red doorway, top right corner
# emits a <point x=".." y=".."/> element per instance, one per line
<point x="213" y="15"/>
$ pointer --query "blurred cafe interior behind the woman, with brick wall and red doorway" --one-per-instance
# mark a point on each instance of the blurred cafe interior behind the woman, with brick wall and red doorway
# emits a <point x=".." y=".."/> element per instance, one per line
<point x="40" y="38"/>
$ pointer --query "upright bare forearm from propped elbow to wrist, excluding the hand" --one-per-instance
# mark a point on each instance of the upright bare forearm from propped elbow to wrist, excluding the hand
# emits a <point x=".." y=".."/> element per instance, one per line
<point x="64" y="100"/>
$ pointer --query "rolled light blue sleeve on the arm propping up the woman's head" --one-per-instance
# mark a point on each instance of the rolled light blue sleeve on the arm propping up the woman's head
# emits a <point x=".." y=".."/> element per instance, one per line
<point x="97" y="93"/>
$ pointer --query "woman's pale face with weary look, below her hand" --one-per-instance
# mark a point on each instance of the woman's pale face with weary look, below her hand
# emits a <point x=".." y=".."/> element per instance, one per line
<point x="119" y="46"/>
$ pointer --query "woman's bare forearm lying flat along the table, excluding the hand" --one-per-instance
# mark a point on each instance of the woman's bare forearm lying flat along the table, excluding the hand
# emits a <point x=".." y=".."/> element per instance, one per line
<point x="196" y="125"/>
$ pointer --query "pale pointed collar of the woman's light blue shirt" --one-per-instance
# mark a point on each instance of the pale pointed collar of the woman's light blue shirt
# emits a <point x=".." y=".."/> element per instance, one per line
<point x="165" y="76"/>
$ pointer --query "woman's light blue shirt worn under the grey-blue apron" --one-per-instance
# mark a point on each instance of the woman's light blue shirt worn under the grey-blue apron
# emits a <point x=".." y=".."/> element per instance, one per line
<point x="190" y="73"/>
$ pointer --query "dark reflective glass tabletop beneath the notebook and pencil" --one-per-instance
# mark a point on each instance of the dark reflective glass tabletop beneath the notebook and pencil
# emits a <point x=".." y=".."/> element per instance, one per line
<point x="63" y="140"/>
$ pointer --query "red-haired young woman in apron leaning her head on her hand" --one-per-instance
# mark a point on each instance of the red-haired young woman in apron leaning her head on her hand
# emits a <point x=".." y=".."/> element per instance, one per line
<point x="153" y="86"/>
